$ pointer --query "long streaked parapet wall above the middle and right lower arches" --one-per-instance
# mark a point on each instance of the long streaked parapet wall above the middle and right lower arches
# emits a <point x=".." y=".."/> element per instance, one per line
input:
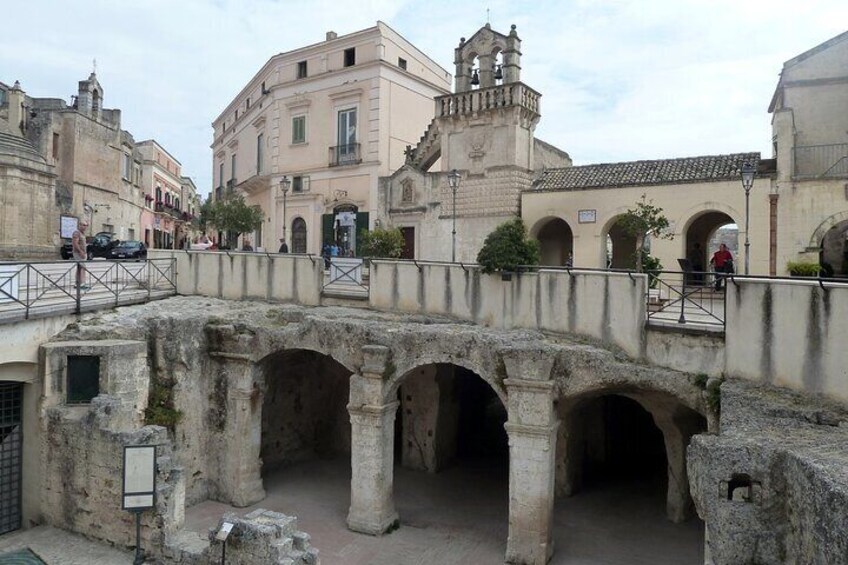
<point x="605" y="306"/>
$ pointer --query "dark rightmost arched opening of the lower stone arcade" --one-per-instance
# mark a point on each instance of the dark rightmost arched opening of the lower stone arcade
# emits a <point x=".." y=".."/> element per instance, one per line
<point x="621" y="467"/>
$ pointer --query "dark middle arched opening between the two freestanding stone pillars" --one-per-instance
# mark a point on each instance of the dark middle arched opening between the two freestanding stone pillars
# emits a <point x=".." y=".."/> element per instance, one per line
<point x="452" y="453"/>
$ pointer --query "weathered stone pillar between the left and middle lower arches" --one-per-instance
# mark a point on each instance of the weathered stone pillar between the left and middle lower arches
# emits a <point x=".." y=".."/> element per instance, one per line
<point x="372" y="418"/>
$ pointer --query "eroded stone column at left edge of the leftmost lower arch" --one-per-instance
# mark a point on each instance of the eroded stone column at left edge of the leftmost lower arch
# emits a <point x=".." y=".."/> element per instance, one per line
<point x="241" y="466"/>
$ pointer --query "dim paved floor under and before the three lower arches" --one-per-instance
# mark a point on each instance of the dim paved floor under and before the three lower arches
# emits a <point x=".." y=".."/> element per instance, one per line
<point x="459" y="516"/>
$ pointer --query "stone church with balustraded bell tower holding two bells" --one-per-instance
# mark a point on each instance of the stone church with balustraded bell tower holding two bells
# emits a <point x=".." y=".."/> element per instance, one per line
<point x="485" y="131"/>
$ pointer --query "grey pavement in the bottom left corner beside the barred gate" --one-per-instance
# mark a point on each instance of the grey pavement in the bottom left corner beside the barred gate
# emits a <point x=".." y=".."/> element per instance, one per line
<point x="58" y="547"/>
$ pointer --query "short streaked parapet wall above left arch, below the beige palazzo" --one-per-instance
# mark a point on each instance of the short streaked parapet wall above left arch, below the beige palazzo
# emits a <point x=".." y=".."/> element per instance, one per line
<point x="236" y="275"/>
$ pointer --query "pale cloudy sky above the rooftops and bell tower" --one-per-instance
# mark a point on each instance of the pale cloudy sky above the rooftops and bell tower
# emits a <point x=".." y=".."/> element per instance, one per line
<point x="620" y="80"/>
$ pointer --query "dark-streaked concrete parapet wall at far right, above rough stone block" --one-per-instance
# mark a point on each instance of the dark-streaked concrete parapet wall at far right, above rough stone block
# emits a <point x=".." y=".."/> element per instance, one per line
<point x="789" y="333"/>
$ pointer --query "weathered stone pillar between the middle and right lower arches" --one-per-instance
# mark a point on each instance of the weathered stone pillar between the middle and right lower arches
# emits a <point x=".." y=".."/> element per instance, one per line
<point x="532" y="429"/>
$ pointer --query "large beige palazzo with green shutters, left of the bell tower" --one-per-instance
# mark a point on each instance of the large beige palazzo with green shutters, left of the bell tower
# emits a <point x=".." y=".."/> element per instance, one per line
<point x="330" y="118"/>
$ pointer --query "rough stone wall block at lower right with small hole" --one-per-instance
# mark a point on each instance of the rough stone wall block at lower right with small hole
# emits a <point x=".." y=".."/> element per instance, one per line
<point x="772" y="485"/>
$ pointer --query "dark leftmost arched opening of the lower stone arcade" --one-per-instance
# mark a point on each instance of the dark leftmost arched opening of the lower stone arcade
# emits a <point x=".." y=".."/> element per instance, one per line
<point x="305" y="423"/>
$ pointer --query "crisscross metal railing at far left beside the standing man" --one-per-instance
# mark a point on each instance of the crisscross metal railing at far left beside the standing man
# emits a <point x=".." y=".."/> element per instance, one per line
<point x="42" y="289"/>
